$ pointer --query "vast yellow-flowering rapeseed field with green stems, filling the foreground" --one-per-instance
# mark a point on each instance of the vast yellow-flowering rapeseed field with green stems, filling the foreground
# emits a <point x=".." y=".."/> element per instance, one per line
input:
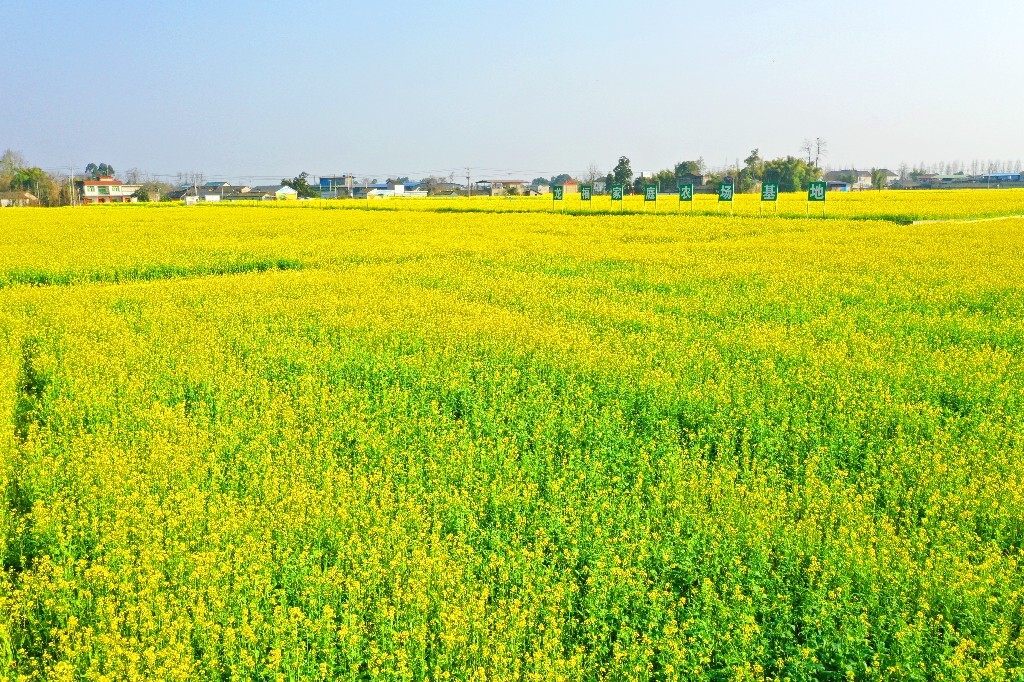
<point x="279" y="445"/>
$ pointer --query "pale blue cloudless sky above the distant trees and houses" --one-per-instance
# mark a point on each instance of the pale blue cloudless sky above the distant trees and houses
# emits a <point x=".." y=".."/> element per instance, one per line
<point x="239" y="90"/>
